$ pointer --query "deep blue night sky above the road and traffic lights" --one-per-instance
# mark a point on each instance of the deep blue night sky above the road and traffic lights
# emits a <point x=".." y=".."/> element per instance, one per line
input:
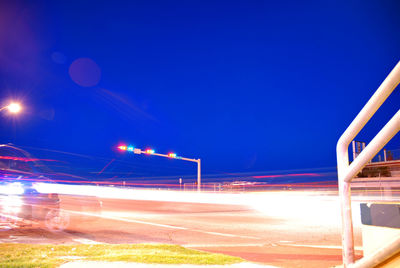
<point x="247" y="86"/>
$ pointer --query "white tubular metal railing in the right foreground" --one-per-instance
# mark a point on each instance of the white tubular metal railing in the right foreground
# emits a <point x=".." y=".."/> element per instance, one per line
<point x="346" y="171"/>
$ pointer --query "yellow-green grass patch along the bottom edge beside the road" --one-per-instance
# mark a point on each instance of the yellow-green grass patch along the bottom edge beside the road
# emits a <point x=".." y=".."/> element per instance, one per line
<point x="28" y="255"/>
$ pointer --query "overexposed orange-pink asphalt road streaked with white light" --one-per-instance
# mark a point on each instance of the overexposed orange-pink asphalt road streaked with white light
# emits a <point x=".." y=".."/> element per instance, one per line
<point x="301" y="230"/>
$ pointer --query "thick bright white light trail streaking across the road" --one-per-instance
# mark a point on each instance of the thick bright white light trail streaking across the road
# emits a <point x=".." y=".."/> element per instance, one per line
<point x="303" y="206"/>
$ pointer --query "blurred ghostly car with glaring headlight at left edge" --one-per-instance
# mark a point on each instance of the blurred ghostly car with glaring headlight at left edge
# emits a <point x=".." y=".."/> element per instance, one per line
<point x="21" y="176"/>
